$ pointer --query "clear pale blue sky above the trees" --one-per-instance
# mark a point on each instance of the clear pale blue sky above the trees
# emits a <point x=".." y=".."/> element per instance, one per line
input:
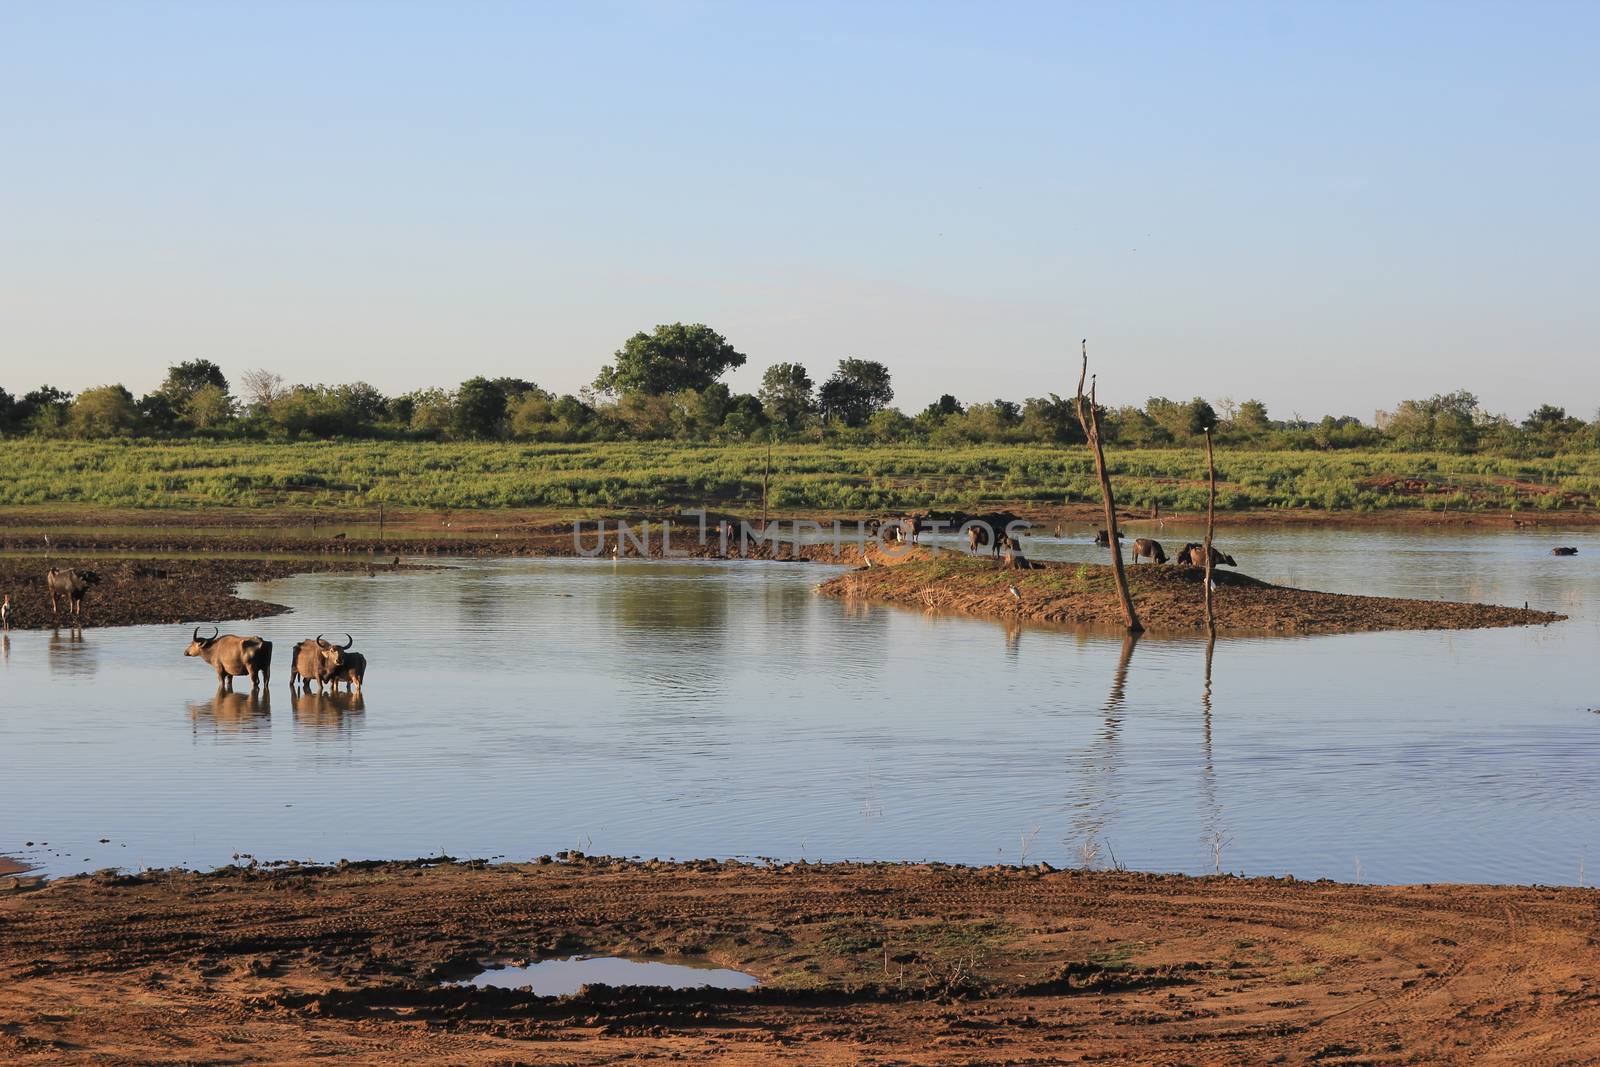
<point x="1329" y="207"/>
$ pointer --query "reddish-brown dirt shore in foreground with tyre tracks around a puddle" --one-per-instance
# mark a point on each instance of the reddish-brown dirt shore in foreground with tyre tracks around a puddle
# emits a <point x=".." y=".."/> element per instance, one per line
<point x="860" y="964"/>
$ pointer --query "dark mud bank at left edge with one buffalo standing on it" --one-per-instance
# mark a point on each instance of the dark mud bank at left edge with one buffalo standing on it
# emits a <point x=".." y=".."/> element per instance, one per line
<point x="135" y="593"/>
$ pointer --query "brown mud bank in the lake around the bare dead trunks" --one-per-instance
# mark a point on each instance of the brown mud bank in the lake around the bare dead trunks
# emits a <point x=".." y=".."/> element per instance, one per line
<point x="1169" y="599"/>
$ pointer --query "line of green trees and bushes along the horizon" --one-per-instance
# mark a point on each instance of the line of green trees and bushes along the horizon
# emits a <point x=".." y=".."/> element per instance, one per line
<point x="666" y="386"/>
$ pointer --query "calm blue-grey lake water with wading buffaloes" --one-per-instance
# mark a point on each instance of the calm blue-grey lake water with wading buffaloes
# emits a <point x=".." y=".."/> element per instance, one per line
<point x="518" y="708"/>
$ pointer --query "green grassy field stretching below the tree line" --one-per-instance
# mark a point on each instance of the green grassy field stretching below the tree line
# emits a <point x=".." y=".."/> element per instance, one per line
<point x="641" y="476"/>
